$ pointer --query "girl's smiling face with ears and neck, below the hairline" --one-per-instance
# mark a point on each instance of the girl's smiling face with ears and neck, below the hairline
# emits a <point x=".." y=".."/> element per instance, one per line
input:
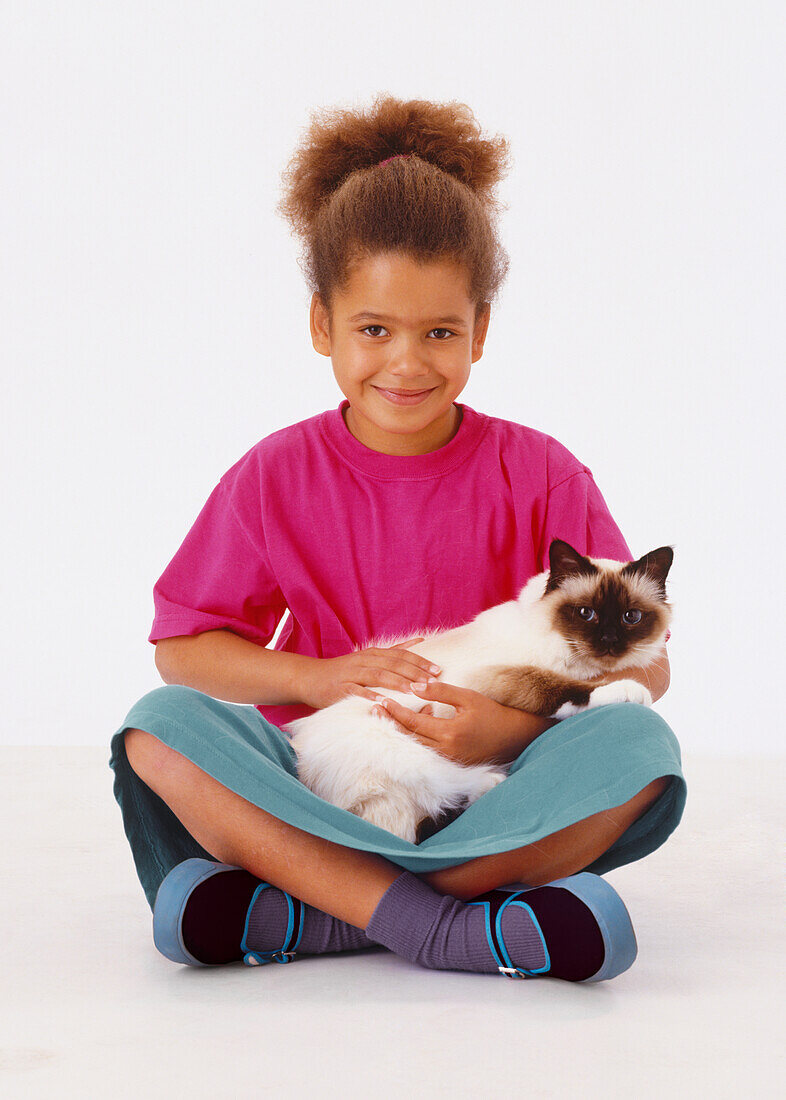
<point x="403" y="327"/>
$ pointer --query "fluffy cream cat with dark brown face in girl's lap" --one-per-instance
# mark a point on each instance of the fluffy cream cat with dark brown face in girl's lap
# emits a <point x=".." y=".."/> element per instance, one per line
<point x="546" y="652"/>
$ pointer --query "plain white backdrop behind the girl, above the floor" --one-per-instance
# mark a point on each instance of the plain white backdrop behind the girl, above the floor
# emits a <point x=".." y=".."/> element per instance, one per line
<point x="154" y="320"/>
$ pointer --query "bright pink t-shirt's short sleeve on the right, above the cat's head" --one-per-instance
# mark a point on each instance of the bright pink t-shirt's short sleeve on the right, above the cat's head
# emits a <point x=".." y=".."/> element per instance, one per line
<point x="578" y="513"/>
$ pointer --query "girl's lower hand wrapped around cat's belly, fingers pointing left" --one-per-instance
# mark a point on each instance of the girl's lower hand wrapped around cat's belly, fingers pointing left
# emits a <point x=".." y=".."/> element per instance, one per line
<point x="481" y="732"/>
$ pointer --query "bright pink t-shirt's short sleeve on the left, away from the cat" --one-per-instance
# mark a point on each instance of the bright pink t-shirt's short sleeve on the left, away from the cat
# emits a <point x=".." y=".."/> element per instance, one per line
<point x="220" y="578"/>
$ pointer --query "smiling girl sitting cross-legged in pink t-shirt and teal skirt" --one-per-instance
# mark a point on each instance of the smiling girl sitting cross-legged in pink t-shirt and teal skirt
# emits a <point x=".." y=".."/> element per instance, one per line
<point x="401" y="511"/>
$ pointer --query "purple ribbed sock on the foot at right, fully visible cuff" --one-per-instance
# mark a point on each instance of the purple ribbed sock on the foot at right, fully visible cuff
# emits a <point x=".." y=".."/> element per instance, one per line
<point x="442" y="933"/>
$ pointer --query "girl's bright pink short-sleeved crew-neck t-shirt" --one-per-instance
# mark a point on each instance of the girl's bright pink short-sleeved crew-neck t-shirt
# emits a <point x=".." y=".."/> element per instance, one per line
<point x="355" y="544"/>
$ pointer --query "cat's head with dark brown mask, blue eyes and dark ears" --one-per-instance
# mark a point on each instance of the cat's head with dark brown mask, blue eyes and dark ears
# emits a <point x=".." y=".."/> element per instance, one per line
<point x="608" y="611"/>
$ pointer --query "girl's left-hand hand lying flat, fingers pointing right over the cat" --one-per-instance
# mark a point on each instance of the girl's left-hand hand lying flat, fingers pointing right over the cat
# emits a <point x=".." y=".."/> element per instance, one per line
<point x="333" y="678"/>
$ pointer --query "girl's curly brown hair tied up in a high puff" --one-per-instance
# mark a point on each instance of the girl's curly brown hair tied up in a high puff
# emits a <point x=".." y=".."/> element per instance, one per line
<point x="434" y="204"/>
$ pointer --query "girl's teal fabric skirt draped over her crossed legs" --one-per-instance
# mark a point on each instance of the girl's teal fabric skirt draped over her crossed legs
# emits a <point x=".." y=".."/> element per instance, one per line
<point x="589" y="763"/>
